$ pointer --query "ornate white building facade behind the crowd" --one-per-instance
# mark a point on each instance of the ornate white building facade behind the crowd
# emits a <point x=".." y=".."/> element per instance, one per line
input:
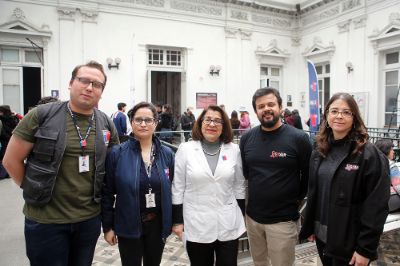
<point x="196" y="52"/>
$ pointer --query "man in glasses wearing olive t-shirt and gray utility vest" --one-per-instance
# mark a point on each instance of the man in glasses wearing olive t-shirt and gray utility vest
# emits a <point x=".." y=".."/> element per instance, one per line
<point x="65" y="145"/>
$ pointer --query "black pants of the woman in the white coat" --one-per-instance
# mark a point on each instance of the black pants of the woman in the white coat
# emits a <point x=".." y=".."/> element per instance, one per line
<point x="201" y="254"/>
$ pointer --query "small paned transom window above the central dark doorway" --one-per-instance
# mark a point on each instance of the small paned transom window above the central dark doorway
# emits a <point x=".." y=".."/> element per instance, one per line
<point x="164" y="57"/>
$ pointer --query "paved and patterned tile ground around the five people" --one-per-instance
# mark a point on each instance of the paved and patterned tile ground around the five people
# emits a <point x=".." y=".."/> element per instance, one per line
<point x="12" y="243"/>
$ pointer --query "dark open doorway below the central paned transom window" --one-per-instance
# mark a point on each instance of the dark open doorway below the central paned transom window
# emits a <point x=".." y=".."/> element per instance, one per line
<point x="166" y="88"/>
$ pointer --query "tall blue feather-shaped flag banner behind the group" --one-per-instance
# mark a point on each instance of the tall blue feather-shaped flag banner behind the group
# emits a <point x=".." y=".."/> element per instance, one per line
<point x="314" y="102"/>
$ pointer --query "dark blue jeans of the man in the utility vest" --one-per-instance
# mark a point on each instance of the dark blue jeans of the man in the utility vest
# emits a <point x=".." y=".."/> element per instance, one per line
<point x="69" y="244"/>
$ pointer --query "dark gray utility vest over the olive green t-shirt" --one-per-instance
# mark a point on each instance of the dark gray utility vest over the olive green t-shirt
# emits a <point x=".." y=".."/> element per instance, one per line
<point x="50" y="142"/>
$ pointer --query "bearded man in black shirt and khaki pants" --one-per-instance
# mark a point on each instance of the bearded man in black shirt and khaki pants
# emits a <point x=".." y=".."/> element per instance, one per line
<point x="275" y="161"/>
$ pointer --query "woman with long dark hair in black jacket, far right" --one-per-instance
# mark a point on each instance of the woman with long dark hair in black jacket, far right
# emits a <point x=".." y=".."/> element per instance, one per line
<point x="348" y="191"/>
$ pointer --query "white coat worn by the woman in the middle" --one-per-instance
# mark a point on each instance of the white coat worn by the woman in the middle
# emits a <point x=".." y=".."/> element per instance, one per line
<point x="210" y="209"/>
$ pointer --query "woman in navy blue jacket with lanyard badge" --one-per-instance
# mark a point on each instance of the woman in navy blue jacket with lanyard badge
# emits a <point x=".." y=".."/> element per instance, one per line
<point x="138" y="180"/>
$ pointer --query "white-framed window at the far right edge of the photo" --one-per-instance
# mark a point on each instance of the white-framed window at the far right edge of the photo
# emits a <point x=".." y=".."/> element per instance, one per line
<point x="391" y="78"/>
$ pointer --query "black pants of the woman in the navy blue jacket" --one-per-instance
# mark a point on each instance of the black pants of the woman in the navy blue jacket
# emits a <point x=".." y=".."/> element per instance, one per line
<point x="149" y="246"/>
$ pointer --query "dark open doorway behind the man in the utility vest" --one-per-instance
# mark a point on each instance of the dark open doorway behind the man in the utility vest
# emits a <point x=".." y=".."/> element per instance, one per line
<point x="32" y="86"/>
